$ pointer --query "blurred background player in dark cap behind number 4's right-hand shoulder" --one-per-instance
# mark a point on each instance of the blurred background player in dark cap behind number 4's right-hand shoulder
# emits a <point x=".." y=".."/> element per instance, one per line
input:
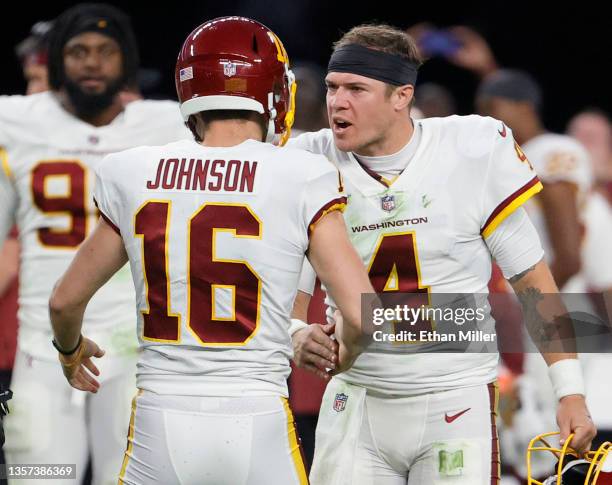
<point x="561" y="162"/>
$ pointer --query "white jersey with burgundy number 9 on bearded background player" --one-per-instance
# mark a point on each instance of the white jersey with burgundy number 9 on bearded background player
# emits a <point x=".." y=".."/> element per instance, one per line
<point x="48" y="158"/>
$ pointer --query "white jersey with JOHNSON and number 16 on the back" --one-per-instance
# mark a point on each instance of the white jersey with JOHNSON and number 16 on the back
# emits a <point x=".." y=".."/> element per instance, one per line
<point x="216" y="239"/>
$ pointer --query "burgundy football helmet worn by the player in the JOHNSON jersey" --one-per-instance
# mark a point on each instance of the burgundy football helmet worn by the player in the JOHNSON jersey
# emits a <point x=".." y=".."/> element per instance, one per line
<point x="235" y="63"/>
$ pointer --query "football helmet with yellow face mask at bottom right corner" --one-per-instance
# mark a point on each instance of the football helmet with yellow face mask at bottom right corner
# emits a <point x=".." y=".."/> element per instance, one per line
<point x="594" y="468"/>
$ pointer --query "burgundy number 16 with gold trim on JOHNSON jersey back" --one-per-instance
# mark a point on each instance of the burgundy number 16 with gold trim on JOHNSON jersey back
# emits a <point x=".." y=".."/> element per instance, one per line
<point x="152" y="225"/>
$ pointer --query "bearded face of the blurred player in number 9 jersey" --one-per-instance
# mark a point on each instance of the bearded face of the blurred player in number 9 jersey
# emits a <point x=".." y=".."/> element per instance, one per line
<point x="93" y="62"/>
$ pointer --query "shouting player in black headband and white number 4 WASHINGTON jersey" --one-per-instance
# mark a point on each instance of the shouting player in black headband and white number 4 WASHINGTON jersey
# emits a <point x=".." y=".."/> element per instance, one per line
<point x="429" y="203"/>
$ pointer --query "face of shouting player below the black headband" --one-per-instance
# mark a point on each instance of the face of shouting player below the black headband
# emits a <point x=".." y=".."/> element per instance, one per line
<point x="359" y="112"/>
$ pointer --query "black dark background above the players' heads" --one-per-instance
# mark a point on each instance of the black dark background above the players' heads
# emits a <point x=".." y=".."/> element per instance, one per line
<point x="565" y="46"/>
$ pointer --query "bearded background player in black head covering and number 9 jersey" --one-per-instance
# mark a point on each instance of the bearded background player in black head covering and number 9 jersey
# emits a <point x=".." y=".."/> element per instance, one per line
<point x="50" y="144"/>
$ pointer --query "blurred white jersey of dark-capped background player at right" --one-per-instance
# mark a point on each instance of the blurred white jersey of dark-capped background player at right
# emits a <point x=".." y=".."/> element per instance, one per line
<point x="557" y="158"/>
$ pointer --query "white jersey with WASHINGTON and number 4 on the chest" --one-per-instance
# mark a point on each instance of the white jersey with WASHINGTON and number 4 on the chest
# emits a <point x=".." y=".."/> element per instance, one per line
<point x="426" y="232"/>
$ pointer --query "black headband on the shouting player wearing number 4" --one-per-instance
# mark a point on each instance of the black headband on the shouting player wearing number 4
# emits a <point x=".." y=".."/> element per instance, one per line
<point x="374" y="64"/>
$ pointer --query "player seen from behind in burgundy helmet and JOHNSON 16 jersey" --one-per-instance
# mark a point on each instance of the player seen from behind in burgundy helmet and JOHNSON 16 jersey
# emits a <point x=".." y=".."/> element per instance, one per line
<point x="216" y="231"/>
